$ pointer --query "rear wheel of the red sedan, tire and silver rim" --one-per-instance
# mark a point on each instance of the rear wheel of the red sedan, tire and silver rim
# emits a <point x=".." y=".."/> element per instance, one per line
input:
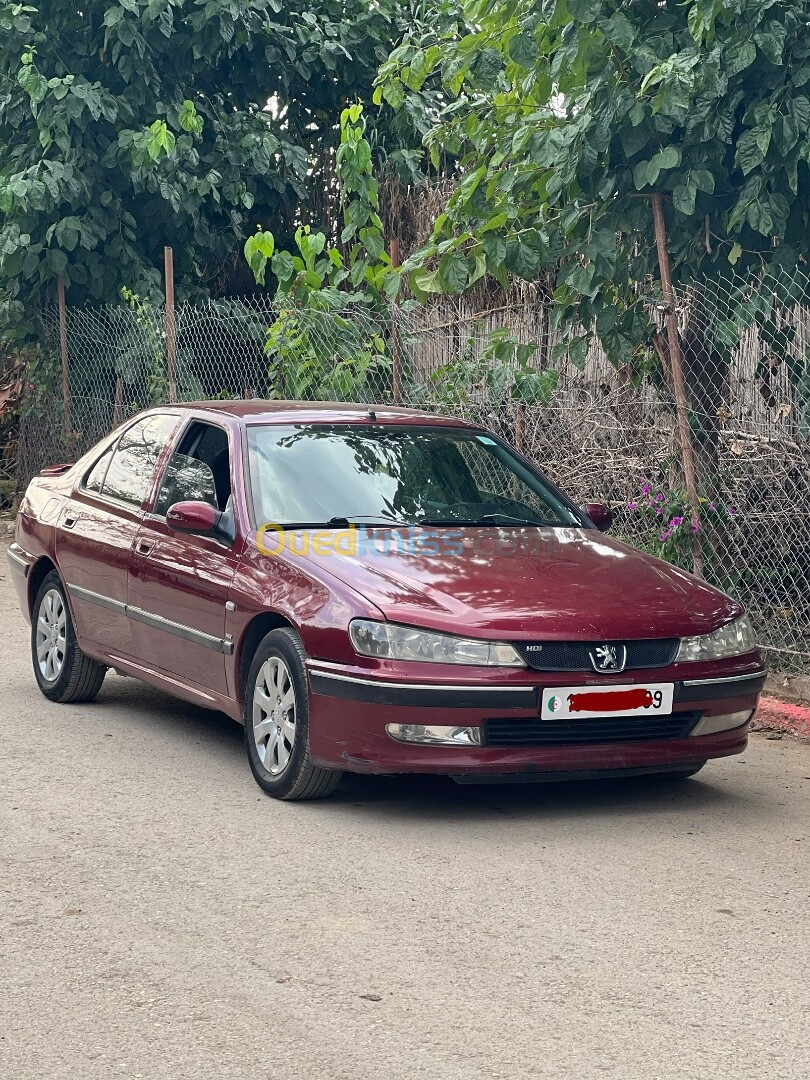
<point x="63" y="672"/>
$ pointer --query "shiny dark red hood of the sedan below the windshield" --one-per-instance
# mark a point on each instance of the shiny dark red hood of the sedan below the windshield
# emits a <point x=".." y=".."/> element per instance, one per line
<point x="533" y="584"/>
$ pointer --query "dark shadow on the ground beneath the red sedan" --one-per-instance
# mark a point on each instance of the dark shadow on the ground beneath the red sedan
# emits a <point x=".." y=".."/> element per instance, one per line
<point x="421" y="796"/>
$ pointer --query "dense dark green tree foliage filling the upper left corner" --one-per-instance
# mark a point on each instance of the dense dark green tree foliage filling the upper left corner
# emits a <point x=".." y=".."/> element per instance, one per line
<point x="130" y="125"/>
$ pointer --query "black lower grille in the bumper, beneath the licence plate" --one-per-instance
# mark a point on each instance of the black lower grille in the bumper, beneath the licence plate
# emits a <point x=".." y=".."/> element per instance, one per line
<point x="578" y="733"/>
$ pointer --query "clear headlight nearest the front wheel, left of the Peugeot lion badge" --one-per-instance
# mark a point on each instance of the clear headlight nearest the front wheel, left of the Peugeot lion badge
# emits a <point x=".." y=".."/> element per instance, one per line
<point x="389" y="641"/>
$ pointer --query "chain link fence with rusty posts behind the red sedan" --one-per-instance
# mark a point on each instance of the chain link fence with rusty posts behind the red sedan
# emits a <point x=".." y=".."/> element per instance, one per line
<point x="604" y="433"/>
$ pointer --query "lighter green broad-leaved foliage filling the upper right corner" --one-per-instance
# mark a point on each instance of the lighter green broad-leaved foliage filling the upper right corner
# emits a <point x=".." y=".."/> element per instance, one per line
<point x="569" y="114"/>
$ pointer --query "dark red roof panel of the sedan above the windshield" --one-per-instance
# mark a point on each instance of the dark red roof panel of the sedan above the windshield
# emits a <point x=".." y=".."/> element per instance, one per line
<point x="259" y="411"/>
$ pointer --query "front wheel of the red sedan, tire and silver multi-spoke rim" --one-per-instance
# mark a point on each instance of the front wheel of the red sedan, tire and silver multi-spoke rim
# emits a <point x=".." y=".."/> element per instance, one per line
<point x="277" y="722"/>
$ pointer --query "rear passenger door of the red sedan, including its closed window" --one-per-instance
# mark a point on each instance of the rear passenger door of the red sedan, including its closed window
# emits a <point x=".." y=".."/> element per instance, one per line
<point x="99" y="526"/>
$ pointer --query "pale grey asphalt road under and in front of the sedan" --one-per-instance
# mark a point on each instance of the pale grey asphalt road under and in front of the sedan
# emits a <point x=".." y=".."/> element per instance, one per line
<point x="160" y="917"/>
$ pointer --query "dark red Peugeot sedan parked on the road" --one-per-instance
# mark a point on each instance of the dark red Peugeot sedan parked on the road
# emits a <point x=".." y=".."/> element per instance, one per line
<point x="375" y="591"/>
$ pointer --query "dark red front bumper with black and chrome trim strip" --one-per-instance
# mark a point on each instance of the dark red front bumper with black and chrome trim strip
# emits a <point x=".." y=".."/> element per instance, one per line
<point x="363" y="723"/>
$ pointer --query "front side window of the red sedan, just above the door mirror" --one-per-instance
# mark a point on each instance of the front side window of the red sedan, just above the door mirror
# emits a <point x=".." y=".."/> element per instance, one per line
<point x="200" y="469"/>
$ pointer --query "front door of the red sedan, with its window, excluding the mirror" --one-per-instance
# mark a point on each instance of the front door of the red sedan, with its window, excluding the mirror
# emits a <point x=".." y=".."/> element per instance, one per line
<point x="179" y="584"/>
